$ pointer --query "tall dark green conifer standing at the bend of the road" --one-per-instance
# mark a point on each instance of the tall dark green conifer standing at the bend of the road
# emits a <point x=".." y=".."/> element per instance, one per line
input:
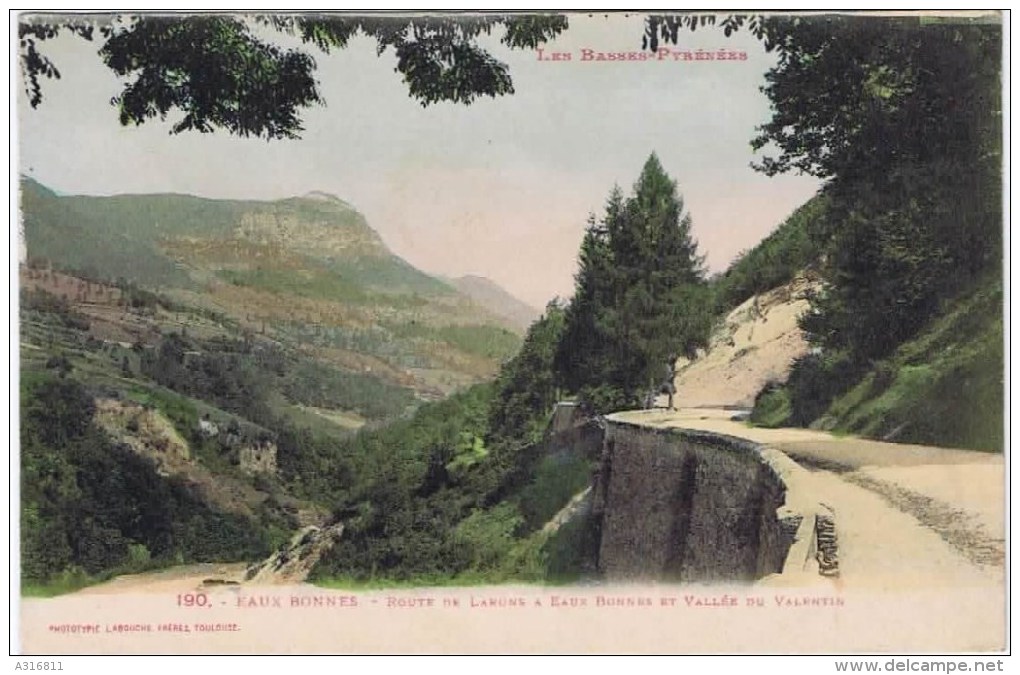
<point x="641" y="299"/>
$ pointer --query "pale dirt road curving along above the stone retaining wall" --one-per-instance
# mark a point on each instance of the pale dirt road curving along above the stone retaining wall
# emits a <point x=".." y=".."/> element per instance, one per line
<point x="907" y="515"/>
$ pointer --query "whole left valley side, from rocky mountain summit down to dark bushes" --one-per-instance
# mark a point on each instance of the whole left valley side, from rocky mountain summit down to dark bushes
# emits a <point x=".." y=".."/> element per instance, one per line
<point x="231" y="349"/>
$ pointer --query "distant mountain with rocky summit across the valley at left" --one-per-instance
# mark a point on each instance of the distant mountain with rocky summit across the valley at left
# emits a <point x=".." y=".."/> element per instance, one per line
<point x="305" y="271"/>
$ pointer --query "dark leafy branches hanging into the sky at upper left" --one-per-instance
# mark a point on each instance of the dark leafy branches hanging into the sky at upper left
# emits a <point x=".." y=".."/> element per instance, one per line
<point x="219" y="73"/>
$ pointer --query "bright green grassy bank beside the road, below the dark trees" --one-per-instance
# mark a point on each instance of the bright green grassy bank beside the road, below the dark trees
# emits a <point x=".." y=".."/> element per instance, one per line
<point x="943" y="387"/>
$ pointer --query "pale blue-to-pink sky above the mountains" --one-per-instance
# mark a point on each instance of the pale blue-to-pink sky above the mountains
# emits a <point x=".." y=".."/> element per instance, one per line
<point x="501" y="189"/>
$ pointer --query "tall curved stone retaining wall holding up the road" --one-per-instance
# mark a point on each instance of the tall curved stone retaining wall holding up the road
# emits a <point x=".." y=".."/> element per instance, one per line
<point x="694" y="506"/>
